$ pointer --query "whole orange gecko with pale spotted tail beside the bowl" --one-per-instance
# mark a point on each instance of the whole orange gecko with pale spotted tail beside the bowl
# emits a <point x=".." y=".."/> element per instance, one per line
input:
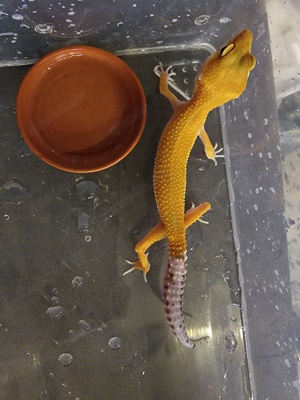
<point x="223" y="77"/>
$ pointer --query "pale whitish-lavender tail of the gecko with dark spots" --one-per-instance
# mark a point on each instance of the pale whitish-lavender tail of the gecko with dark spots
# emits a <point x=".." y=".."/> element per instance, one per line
<point x="173" y="290"/>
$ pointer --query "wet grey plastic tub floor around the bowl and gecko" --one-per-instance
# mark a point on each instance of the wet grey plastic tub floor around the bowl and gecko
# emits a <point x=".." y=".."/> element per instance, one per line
<point x="64" y="241"/>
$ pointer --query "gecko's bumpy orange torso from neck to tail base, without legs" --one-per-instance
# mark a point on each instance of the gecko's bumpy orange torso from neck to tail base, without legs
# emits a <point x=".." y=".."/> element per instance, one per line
<point x="169" y="177"/>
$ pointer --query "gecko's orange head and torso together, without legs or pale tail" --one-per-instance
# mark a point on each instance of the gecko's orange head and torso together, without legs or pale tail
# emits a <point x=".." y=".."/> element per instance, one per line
<point x="221" y="79"/>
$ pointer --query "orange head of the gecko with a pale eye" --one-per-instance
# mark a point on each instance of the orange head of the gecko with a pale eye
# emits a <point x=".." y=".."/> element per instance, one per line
<point x="225" y="73"/>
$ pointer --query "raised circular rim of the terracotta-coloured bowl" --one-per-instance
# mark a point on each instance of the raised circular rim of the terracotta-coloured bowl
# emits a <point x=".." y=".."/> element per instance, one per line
<point x="51" y="58"/>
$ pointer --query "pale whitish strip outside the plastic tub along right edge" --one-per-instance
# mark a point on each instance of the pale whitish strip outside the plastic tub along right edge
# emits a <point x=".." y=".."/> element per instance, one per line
<point x="285" y="34"/>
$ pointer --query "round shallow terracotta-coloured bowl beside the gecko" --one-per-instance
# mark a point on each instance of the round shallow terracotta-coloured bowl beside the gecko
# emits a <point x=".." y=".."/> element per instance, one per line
<point x="81" y="109"/>
